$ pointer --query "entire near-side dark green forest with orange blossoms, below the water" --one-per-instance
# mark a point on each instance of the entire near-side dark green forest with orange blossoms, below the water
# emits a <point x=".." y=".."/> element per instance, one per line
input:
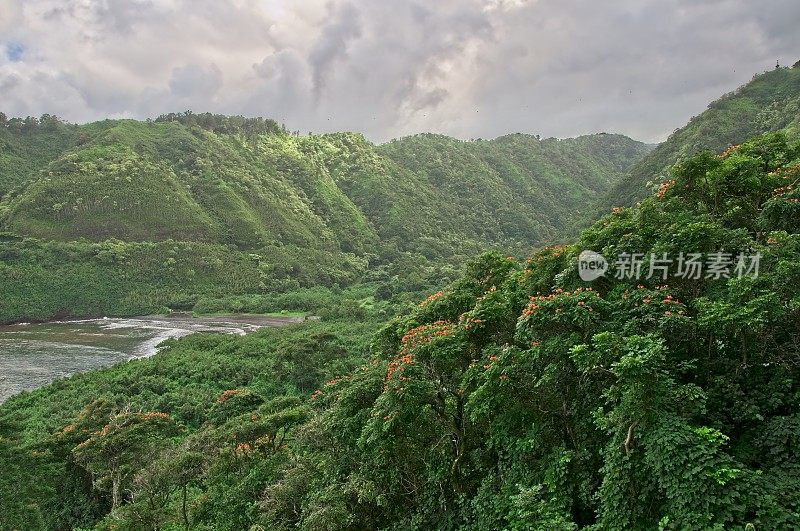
<point x="518" y="397"/>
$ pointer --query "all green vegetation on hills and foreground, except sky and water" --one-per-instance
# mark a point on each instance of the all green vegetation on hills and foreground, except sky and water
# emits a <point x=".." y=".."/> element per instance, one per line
<point x="517" y="397"/>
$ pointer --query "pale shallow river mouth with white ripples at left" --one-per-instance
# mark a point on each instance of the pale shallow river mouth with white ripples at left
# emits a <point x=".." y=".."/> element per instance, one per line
<point x="33" y="355"/>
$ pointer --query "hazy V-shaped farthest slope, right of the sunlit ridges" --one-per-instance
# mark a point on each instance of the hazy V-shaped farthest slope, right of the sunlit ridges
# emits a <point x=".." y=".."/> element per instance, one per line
<point x="514" y="190"/>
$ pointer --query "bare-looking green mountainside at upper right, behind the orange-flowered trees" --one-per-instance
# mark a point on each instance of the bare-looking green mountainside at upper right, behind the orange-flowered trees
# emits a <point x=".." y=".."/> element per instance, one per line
<point x="770" y="102"/>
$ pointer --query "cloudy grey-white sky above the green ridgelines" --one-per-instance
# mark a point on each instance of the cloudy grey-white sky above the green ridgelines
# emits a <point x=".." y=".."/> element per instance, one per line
<point x="468" y="68"/>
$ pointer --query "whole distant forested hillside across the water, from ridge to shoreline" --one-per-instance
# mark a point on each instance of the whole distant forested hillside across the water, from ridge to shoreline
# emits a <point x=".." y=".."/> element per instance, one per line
<point x="170" y="213"/>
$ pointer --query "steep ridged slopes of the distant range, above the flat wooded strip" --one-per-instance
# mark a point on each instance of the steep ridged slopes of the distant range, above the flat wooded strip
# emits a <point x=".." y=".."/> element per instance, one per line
<point x="185" y="179"/>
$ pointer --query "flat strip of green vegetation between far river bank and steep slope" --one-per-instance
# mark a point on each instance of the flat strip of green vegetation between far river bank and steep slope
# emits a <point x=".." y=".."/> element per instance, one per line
<point x="42" y="280"/>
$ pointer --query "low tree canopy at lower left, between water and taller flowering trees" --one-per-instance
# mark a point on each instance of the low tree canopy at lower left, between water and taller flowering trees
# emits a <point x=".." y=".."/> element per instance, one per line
<point x="210" y="405"/>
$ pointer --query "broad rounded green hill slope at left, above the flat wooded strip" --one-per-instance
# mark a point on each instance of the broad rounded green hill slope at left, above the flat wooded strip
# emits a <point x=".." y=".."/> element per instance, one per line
<point x="153" y="181"/>
